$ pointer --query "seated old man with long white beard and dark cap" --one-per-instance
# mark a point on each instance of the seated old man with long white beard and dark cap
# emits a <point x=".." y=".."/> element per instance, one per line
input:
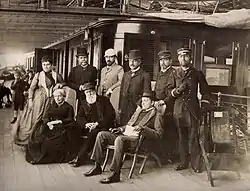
<point x="95" y="114"/>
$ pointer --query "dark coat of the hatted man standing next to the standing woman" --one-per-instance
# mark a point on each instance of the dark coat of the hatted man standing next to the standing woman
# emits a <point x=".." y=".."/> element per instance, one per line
<point x="79" y="76"/>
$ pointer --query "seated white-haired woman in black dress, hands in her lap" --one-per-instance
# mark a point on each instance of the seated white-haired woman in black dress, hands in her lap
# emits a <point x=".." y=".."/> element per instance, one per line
<point x="55" y="137"/>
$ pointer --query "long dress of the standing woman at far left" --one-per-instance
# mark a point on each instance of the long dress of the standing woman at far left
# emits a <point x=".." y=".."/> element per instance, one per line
<point x="41" y="93"/>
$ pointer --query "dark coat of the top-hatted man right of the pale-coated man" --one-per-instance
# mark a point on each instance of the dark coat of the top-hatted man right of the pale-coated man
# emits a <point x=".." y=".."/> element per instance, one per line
<point x="132" y="87"/>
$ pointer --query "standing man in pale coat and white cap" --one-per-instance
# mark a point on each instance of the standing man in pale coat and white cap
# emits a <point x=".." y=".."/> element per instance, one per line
<point x="111" y="75"/>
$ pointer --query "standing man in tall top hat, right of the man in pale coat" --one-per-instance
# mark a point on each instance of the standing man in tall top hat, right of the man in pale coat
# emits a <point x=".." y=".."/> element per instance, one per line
<point x="134" y="83"/>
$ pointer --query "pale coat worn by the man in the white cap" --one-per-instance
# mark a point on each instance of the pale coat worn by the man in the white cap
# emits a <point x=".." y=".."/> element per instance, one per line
<point x="111" y="78"/>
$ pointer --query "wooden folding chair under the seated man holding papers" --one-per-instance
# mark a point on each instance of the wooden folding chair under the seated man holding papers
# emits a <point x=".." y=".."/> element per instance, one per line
<point x="138" y="152"/>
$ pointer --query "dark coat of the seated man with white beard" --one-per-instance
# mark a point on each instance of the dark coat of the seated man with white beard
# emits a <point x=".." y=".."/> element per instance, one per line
<point x="103" y="113"/>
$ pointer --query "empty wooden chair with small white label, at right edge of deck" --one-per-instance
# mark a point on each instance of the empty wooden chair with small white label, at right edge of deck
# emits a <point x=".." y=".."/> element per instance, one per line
<point x="219" y="124"/>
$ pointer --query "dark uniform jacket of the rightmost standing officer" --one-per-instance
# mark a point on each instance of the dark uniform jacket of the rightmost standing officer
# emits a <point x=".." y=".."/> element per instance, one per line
<point x="188" y="98"/>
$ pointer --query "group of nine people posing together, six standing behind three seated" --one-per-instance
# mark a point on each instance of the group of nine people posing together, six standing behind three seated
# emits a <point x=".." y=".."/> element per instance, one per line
<point x="51" y="132"/>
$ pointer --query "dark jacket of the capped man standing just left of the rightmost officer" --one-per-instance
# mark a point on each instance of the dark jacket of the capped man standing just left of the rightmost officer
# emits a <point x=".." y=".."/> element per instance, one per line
<point x="161" y="88"/>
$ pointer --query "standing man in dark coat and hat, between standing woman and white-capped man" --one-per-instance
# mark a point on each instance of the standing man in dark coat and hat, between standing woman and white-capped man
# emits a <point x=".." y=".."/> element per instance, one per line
<point x="81" y="74"/>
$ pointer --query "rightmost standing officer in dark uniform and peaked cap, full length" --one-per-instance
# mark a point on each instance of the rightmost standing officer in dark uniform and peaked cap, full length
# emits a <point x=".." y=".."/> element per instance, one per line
<point x="183" y="86"/>
